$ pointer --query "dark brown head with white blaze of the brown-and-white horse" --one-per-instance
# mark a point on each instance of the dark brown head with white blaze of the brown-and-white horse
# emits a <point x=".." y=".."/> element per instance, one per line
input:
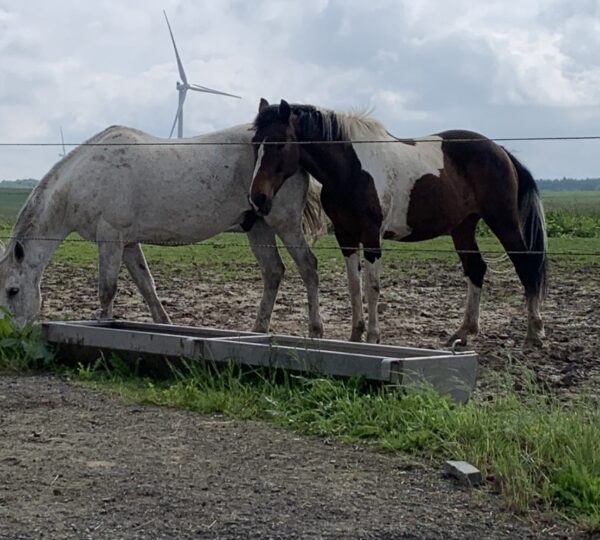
<point x="276" y="152"/>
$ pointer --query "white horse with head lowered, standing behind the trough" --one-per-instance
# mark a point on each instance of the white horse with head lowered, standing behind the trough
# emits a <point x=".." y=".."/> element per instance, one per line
<point x="124" y="187"/>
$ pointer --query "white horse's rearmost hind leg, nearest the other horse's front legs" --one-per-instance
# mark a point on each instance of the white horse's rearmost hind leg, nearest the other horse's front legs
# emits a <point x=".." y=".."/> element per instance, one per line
<point x="306" y="262"/>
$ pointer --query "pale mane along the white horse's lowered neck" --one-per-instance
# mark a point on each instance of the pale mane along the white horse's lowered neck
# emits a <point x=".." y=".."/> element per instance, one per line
<point x="29" y="214"/>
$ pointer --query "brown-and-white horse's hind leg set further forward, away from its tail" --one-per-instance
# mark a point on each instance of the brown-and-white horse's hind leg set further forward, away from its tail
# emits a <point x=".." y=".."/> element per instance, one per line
<point x="474" y="268"/>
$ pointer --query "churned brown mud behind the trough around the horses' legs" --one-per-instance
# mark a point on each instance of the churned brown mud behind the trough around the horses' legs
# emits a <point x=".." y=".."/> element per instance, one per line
<point x="421" y="305"/>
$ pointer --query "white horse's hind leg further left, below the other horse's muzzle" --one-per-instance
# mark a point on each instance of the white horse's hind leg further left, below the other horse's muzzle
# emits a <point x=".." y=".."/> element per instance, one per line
<point x="262" y="243"/>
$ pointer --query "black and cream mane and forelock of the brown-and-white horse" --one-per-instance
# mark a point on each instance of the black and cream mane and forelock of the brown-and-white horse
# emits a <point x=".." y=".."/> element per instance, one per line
<point x="330" y="125"/>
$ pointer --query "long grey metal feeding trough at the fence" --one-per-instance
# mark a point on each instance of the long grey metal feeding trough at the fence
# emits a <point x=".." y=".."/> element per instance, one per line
<point x="448" y="372"/>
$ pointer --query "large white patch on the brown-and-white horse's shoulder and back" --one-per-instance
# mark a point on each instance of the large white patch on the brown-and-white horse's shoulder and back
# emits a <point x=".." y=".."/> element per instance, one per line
<point x="395" y="167"/>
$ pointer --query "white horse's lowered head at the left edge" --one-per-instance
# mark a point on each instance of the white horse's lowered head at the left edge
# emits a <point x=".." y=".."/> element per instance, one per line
<point x="19" y="284"/>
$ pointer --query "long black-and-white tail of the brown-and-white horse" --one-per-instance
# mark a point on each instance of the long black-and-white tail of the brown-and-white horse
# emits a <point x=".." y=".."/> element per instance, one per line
<point x="533" y="227"/>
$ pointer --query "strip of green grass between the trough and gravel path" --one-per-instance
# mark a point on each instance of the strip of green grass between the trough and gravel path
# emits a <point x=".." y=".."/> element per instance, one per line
<point x="538" y="452"/>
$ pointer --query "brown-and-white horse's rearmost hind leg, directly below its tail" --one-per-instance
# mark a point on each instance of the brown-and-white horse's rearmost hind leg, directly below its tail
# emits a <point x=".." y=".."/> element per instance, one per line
<point x="509" y="234"/>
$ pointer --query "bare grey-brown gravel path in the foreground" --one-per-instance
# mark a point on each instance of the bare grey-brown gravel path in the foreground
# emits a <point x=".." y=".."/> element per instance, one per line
<point x="75" y="464"/>
